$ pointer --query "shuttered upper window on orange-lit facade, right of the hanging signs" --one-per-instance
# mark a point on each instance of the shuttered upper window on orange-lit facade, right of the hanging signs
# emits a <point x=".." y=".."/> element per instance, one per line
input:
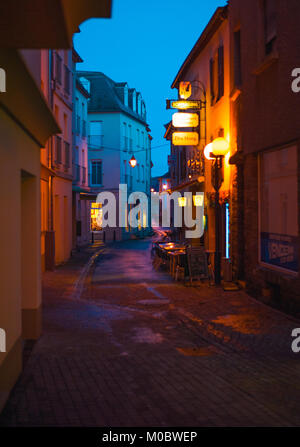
<point x="216" y="68"/>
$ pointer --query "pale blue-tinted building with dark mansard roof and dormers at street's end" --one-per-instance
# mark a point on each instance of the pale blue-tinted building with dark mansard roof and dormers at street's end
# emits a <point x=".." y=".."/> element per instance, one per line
<point x="117" y="132"/>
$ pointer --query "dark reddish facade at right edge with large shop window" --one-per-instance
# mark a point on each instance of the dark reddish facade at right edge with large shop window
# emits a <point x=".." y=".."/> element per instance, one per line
<point x="265" y="40"/>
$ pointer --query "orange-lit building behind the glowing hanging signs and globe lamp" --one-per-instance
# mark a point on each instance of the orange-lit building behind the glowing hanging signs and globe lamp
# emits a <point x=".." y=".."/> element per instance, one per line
<point x="207" y="68"/>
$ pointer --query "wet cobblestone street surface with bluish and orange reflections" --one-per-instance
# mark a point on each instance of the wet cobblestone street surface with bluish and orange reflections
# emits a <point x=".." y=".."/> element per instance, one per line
<point x="124" y="345"/>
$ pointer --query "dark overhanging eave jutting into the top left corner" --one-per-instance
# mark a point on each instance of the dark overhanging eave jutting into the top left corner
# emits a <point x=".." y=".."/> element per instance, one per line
<point x="46" y="23"/>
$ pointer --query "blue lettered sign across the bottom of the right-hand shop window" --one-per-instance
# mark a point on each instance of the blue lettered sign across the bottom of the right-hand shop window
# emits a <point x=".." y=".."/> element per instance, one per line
<point x="280" y="250"/>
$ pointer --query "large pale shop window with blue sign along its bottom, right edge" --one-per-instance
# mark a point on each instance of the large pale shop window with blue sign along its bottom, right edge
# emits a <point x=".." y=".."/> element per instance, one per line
<point x="279" y="239"/>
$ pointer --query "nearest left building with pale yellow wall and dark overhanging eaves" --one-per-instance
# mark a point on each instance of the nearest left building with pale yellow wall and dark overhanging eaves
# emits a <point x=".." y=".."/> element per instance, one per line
<point x="26" y="123"/>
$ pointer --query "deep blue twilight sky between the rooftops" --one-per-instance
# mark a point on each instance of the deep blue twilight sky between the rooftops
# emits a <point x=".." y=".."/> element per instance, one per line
<point x="144" y="44"/>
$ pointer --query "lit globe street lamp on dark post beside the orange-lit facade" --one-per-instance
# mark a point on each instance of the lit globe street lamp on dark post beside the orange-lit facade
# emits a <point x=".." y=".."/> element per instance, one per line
<point x="215" y="152"/>
